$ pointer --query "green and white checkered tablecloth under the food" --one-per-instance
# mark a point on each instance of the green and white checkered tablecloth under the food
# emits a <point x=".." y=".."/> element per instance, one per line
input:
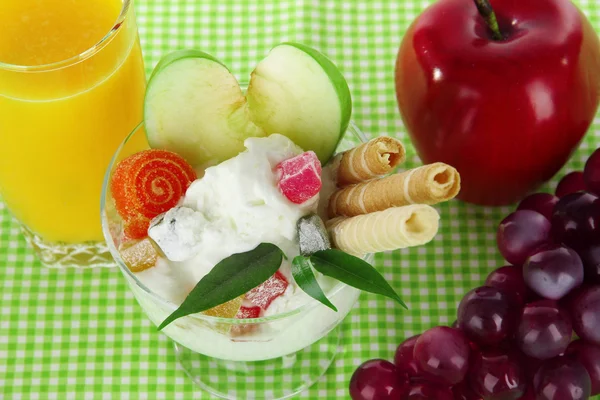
<point x="79" y="334"/>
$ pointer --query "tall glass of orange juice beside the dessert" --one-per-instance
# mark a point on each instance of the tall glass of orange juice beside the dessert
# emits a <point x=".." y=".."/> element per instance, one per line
<point x="71" y="88"/>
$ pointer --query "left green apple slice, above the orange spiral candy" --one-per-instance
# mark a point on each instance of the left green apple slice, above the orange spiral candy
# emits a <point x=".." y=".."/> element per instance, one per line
<point x="195" y="107"/>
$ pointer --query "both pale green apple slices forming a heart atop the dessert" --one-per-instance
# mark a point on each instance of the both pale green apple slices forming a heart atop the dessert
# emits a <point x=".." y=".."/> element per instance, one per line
<point x="195" y="107"/>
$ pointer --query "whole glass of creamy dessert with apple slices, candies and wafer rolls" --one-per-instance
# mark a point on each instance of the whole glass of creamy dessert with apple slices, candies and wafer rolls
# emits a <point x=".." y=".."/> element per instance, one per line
<point x="242" y="235"/>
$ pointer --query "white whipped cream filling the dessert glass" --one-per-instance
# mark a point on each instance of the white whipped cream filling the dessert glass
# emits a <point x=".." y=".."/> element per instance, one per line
<point x="234" y="207"/>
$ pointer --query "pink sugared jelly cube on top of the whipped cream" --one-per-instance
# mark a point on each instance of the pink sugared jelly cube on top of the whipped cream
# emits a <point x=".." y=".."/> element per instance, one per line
<point x="300" y="177"/>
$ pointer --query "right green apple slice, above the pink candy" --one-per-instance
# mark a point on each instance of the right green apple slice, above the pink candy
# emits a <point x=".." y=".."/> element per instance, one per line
<point x="298" y="92"/>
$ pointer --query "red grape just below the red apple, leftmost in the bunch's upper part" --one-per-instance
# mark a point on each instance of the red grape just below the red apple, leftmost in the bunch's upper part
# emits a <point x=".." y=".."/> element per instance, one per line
<point x="521" y="233"/>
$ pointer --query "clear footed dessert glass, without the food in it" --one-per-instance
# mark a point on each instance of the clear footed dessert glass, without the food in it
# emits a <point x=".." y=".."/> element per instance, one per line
<point x="289" y="351"/>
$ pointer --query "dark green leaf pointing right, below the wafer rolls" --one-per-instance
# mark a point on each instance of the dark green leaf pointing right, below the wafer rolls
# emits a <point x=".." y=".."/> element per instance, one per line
<point x="353" y="271"/>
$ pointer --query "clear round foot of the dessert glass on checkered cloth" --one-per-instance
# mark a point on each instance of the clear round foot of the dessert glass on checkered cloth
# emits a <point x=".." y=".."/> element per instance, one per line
<point x="279" y="378"/>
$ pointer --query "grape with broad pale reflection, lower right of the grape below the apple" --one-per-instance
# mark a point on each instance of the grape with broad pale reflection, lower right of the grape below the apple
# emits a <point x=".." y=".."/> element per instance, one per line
<point x="553" y="271"/>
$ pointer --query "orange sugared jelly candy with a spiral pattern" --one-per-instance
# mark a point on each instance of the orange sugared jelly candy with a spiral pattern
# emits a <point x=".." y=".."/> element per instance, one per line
<point x="147" y="184"/>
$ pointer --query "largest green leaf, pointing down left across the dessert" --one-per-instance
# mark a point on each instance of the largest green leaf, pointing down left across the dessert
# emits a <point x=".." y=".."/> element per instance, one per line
<point x="230" y="278"/>
